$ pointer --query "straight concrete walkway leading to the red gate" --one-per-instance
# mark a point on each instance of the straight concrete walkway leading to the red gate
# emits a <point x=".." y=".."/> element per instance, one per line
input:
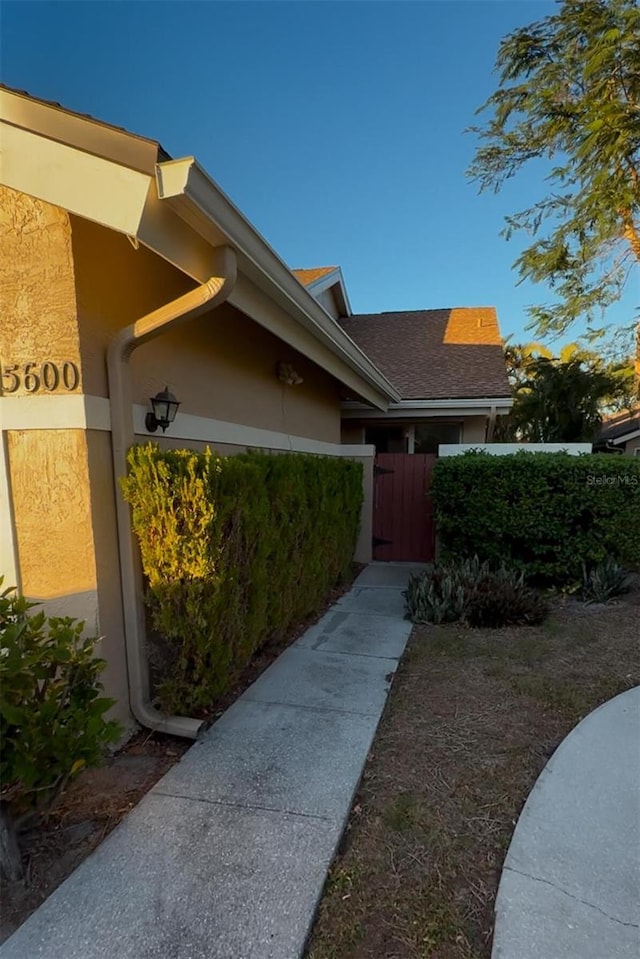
<point x="227" y="855"/>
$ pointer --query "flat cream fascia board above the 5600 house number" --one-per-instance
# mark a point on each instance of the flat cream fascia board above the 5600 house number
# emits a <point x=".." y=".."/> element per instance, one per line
<point x="88" y="185"/>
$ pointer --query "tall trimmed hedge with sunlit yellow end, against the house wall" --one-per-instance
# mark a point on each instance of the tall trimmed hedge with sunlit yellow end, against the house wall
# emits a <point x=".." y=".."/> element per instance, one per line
<point x="235" y="550"/>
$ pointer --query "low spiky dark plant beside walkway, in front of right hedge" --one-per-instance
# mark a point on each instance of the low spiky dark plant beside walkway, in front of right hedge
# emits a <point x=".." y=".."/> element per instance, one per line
<point x="473" y="592"/>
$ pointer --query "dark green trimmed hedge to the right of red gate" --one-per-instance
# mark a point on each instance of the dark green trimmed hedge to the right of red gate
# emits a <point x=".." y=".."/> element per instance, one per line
<point x="542" y="513"/>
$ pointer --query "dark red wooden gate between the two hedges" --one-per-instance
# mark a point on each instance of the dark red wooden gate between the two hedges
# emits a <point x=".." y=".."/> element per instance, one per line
<point x="403" y="528"/>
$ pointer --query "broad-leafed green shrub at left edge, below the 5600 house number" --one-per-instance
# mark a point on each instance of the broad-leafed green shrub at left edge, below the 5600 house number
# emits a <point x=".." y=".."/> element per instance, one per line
<point x="52" y="721"/>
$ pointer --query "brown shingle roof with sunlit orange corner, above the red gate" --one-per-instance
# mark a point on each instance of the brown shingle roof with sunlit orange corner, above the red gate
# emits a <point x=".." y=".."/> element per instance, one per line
<point x="435" y="354"/>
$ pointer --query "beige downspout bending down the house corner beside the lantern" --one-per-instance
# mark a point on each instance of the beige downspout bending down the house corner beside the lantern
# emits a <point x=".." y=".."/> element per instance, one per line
<point x="203" y="299"/>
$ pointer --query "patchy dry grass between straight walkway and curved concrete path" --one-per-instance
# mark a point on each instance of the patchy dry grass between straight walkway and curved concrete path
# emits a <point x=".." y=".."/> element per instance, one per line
<point x="472" y="718"/>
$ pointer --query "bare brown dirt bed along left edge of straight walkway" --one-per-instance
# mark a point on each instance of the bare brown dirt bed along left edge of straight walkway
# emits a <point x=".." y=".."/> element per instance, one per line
<point x="98" y="799"/>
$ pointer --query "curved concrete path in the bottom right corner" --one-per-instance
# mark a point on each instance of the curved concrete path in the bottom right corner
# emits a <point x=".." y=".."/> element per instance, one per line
<point x="570" y="887"/>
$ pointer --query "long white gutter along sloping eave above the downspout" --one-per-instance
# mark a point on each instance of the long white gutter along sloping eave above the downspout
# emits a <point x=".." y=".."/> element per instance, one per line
<point x="189" y="191"/>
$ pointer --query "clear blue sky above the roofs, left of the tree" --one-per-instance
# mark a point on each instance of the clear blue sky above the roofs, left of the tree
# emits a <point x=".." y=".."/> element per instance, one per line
<point x="337" y="128"/>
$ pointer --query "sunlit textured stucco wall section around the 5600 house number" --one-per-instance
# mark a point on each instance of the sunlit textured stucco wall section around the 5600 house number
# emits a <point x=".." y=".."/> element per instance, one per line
<point x="59" y="561"/>
